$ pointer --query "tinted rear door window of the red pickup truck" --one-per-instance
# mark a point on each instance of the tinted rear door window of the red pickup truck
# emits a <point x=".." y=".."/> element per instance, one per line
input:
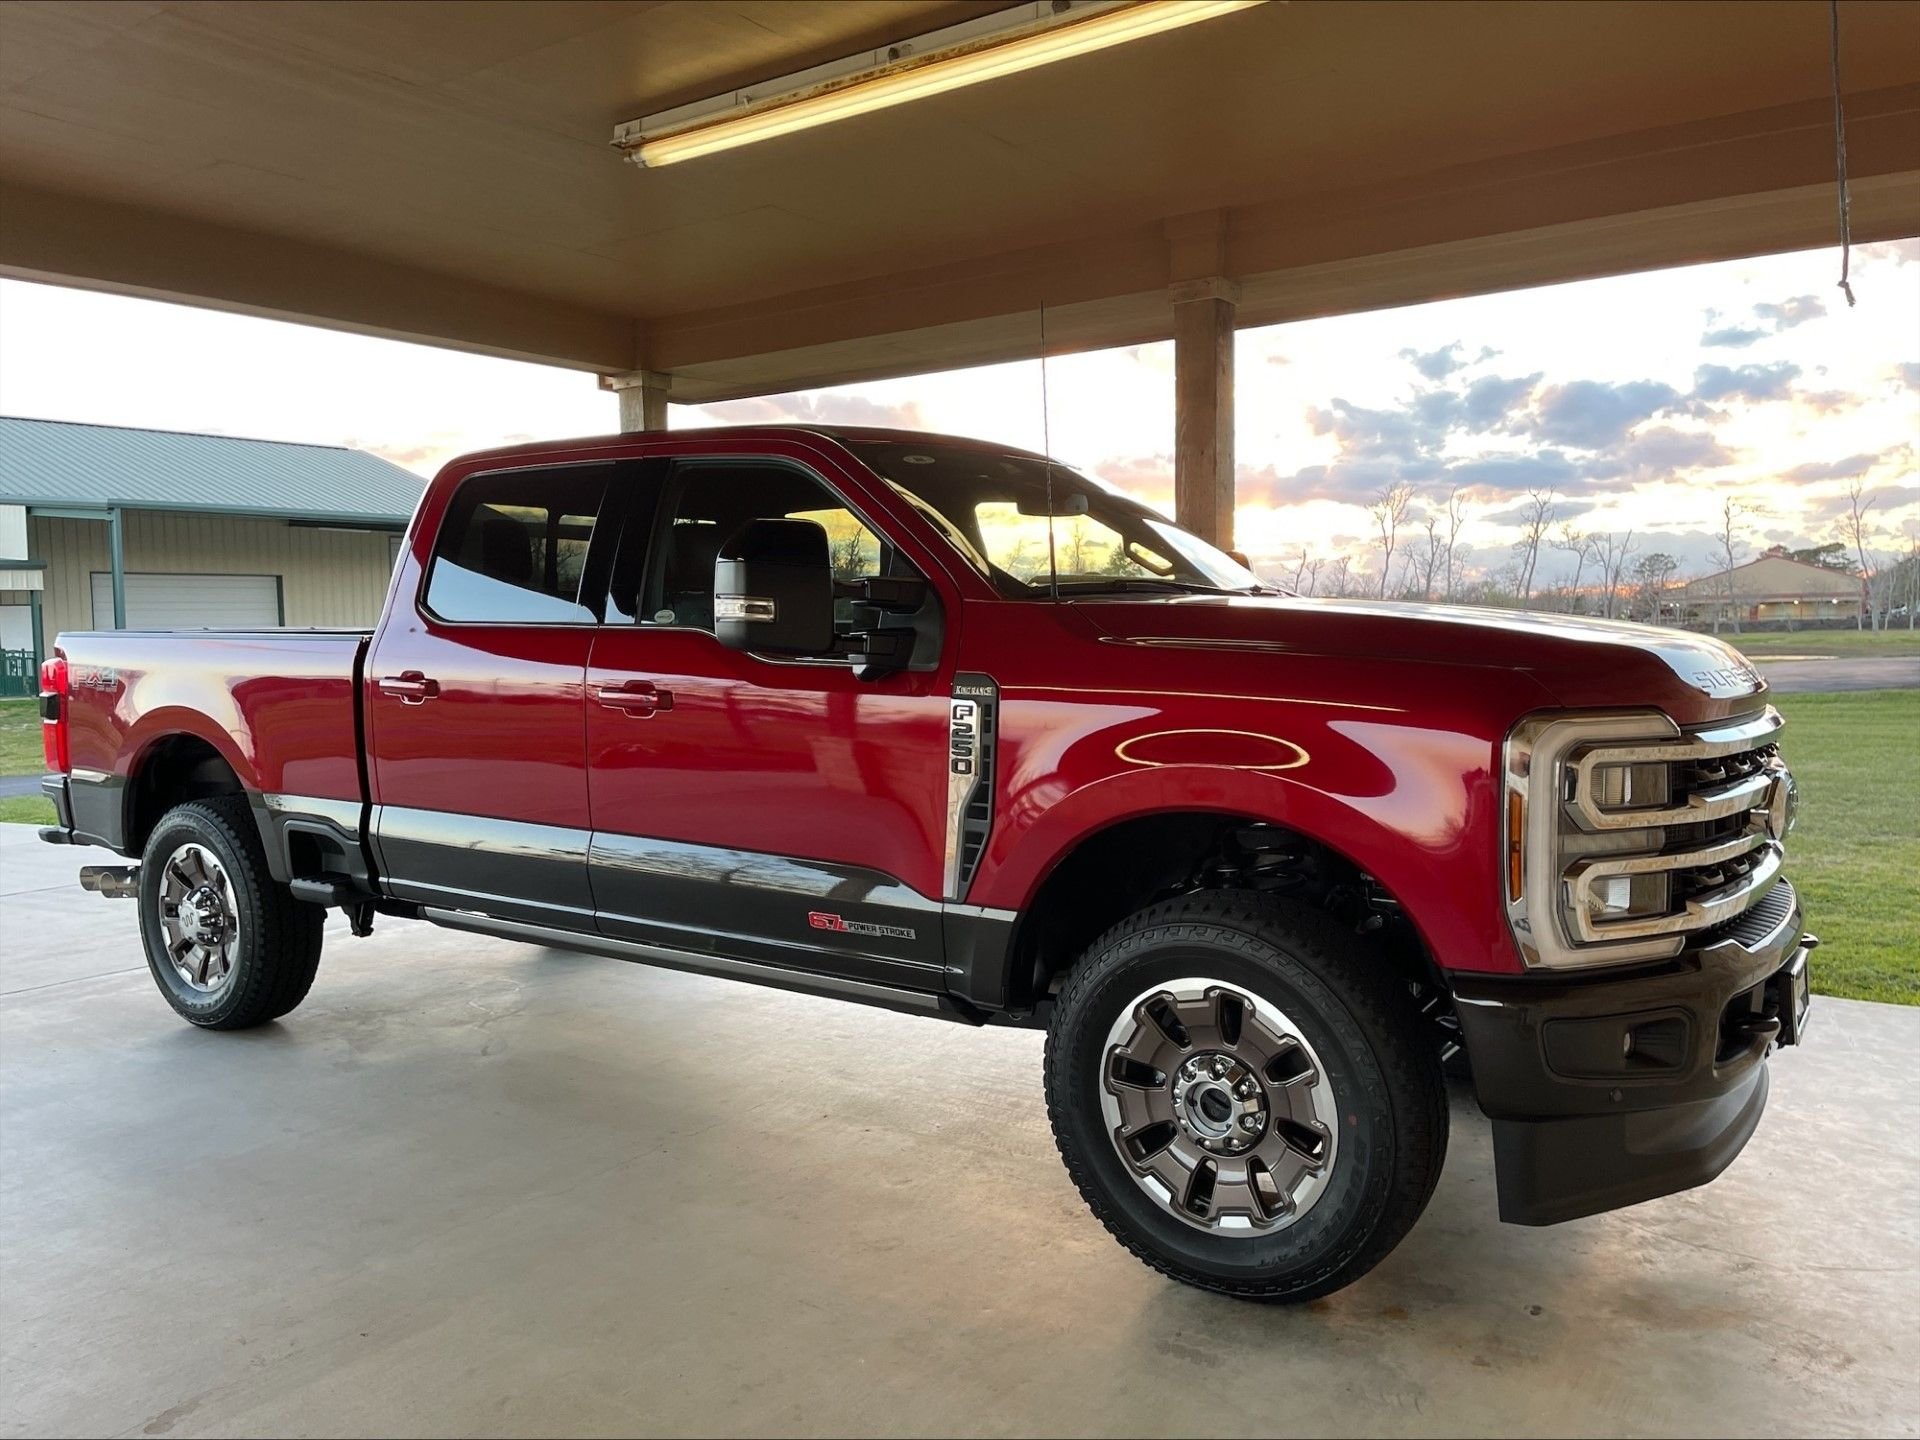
<point x="514" y="548"/>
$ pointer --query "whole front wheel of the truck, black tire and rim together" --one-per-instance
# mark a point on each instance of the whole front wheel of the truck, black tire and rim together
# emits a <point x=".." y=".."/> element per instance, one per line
<point x="1245" y="1097"/>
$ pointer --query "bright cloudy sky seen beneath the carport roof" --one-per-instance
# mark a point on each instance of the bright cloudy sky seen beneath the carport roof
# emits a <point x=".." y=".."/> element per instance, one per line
<point x="1641" y="400"/>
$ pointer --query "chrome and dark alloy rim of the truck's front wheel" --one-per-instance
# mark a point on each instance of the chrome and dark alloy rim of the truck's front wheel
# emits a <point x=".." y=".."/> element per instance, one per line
<point x="1218" y="1107"/>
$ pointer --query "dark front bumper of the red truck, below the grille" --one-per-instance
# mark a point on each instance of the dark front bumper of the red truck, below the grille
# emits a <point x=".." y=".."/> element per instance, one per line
<point x="1608" y="1092"/>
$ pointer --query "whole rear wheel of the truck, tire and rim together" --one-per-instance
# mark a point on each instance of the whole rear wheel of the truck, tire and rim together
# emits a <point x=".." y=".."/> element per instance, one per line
<point x="228" y="946"/>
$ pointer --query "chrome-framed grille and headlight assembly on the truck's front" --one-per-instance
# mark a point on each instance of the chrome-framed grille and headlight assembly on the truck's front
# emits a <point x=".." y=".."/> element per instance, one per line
<point x="1623" y="834"/>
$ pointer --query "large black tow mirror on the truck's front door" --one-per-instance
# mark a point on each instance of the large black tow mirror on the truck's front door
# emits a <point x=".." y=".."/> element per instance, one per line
<point x="775" y="588"/>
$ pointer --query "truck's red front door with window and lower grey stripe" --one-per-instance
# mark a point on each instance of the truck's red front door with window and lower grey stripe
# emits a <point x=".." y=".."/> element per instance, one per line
<point x="777" y="811"/>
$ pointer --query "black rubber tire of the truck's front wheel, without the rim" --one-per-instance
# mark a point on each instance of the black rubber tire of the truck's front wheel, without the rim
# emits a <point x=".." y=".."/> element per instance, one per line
<point x="1387" y="1084"/>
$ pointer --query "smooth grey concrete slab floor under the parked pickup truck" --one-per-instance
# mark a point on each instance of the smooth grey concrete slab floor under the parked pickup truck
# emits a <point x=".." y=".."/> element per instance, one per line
<point x="487" y="1189"/>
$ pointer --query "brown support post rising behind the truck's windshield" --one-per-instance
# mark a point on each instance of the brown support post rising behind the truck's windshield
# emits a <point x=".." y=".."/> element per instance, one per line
<point x="1203" y="408"/>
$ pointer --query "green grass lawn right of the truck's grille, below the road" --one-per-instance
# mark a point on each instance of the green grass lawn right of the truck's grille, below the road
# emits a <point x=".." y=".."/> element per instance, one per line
<point x="1856" y="855"/>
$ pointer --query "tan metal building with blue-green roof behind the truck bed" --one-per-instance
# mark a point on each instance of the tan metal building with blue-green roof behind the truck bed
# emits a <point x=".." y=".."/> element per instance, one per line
<point x="201" y="531"/>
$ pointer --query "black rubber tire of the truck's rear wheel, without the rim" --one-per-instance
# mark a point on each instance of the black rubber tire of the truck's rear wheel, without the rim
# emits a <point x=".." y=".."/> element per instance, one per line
<point x="279" y="936"/>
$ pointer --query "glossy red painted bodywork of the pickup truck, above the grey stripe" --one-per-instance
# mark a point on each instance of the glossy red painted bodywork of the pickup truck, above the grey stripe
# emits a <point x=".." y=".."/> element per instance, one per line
<point x="1370" y="729"/>
